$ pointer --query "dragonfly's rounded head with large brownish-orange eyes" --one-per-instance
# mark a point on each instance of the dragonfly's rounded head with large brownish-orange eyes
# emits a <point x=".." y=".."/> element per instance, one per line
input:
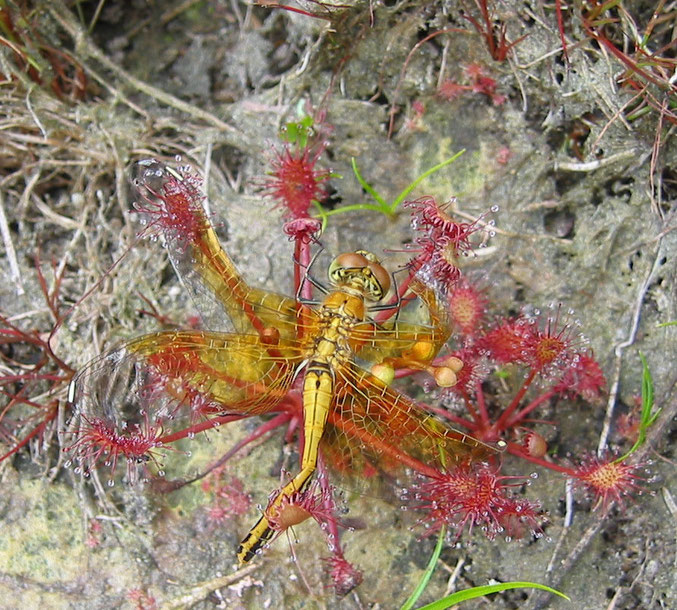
<point x="360" y="271"/>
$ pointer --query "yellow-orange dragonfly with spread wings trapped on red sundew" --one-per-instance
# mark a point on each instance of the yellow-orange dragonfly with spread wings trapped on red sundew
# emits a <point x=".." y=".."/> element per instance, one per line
<point x="131" y="401"/>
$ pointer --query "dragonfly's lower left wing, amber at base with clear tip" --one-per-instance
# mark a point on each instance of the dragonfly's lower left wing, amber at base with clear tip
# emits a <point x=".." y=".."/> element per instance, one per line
<point x="159" y="387"/>
